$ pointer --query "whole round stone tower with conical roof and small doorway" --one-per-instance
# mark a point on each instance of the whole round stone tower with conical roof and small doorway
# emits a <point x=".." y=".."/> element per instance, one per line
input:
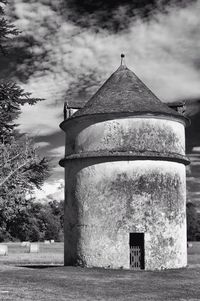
<point x="125" y="180"/>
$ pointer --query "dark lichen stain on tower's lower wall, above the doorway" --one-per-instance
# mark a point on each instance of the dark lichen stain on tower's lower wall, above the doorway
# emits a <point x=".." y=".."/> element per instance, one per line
<point x="154" y="187"/>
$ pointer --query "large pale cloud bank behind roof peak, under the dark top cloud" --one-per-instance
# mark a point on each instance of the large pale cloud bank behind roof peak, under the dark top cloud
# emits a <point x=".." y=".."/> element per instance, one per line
<point x="164" y="52"/>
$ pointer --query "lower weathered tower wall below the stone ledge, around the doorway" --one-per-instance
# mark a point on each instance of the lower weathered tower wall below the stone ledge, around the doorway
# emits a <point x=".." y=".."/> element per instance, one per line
<point x="105" y="201"/>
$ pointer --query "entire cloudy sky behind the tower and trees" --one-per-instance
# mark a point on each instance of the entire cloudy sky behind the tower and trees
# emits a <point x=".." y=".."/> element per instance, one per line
<point x="68" y="48"/>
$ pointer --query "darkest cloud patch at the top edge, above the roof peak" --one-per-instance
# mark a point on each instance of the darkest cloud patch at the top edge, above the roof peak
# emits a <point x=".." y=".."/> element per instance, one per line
<point x="115" y="15"/>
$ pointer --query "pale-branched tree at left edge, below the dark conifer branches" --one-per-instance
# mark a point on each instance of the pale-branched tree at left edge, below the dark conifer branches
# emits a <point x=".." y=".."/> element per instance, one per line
<point x="21" y="170"/>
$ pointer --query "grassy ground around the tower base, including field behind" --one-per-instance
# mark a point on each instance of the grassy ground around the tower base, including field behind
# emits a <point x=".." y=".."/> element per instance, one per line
<point x="42" y="277"/>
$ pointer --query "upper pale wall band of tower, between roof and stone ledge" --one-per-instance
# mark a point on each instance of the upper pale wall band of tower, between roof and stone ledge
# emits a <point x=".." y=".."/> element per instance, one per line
<point x="150" y="134"/>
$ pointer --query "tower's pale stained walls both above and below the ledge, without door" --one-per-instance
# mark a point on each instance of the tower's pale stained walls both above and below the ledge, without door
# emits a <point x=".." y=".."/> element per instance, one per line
<point x="108" y="197"/>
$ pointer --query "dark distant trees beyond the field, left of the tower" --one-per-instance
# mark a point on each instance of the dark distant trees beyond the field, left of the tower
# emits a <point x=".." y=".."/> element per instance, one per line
<point x="36" y="222"/>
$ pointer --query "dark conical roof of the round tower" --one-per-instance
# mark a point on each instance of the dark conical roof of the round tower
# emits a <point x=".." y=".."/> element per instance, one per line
<point x="124" y="92"/>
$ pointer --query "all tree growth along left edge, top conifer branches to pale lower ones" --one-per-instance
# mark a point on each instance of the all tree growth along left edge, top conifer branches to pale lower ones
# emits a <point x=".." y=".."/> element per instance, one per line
<point x="21" y="168"/>
